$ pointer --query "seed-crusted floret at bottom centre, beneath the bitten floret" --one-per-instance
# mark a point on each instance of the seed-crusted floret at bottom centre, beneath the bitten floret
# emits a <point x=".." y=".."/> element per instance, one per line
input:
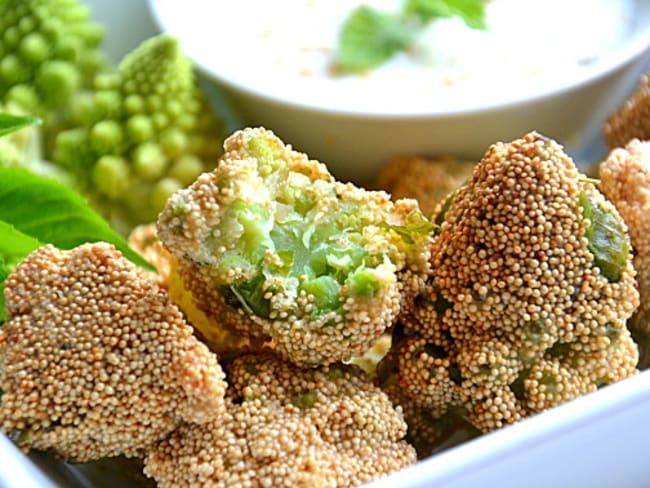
<point x="286" y="426"/>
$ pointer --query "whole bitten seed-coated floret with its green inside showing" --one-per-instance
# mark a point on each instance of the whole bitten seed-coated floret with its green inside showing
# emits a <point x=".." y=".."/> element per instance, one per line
<point x="272" y="245"/>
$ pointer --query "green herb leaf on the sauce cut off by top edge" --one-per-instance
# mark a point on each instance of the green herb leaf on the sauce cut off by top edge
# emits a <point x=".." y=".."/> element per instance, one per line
<point x="471" y="11"/>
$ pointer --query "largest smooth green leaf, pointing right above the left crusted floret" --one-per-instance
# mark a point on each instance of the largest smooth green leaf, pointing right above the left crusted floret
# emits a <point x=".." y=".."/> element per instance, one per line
<point x="52" y="213"/>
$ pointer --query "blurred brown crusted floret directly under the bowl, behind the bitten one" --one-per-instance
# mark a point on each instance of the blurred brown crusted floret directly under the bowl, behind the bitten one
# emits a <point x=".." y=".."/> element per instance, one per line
<point x="428" y="180"/>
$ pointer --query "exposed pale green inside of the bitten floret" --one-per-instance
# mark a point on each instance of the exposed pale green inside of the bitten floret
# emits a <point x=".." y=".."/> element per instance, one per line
<point x="290" y="242"/>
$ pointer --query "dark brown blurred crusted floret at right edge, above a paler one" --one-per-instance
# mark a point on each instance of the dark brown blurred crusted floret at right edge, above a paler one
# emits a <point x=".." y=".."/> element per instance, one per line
<point x="632" y="119"/>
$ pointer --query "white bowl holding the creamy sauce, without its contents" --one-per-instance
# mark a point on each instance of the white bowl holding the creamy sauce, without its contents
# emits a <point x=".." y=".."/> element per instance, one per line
<point x="354" y="138"/>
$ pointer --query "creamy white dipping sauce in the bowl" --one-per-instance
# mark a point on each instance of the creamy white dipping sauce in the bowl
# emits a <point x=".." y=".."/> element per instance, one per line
<point x="286" y="48"/>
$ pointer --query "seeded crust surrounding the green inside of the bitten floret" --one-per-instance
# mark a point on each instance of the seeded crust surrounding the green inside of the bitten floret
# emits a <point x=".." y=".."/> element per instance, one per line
<point x="298" y="334"/>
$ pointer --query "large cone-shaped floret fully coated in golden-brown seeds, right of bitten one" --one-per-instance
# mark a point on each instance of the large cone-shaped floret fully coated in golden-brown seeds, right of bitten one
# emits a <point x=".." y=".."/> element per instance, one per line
<point x="531" y="286"/>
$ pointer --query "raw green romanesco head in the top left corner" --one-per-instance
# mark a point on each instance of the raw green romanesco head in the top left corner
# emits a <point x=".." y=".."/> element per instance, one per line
<point x="48" y="51"/>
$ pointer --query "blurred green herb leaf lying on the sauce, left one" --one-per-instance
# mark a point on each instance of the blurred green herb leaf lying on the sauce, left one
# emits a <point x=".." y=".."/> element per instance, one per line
<point x="370" y="37"/>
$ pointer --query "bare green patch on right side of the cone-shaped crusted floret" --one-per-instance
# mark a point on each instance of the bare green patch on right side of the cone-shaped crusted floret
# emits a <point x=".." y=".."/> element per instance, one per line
<point x="608" y="241"/>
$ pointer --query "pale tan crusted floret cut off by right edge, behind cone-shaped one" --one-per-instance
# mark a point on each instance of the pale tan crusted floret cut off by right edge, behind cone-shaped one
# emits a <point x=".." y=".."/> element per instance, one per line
<point x="625" y="179"/>
